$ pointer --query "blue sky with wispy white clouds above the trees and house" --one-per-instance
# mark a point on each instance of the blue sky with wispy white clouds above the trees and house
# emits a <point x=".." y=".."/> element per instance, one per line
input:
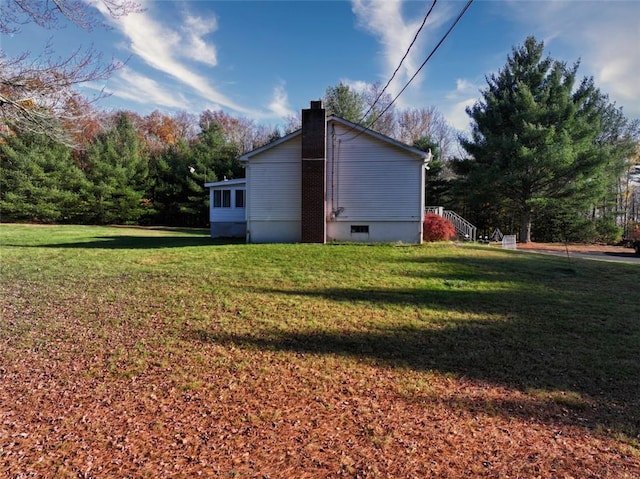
<point x="266" y="59"/>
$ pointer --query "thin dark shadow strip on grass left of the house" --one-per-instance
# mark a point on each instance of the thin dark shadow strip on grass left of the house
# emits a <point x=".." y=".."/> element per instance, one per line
<point x="139" y="242"/>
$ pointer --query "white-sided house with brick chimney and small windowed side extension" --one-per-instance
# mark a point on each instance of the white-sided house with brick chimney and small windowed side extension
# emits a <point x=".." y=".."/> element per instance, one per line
<point x="332" y="180"/>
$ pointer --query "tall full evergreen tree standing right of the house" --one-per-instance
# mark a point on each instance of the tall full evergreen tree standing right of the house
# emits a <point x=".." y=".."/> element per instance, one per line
<point x="535" y="136"/>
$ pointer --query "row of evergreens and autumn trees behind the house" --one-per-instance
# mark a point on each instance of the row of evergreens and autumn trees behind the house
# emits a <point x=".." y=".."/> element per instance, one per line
<point x="121" y="167"/>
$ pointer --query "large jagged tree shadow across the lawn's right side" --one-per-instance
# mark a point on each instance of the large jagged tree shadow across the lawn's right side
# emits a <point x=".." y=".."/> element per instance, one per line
<point x="543" y="334"/>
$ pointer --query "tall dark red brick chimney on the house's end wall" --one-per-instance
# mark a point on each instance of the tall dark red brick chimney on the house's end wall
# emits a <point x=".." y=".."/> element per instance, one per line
<point x="314" y="127"/>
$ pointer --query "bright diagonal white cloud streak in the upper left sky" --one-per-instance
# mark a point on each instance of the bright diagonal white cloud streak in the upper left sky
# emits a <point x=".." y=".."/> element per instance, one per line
<point x="163" y="48"/>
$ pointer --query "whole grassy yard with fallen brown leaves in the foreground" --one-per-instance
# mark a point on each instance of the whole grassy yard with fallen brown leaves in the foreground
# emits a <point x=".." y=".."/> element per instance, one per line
<point x="151" y="353"/>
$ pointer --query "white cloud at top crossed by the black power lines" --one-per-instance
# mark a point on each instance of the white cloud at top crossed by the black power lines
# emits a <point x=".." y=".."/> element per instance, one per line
<point x="385" y="20"/>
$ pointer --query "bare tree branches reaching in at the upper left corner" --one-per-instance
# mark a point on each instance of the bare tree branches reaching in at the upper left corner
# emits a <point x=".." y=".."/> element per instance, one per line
<point x="35" y="92"/>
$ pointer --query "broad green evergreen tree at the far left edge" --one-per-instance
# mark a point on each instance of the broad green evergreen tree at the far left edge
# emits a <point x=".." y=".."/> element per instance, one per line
<point x="39" y="181"/>
